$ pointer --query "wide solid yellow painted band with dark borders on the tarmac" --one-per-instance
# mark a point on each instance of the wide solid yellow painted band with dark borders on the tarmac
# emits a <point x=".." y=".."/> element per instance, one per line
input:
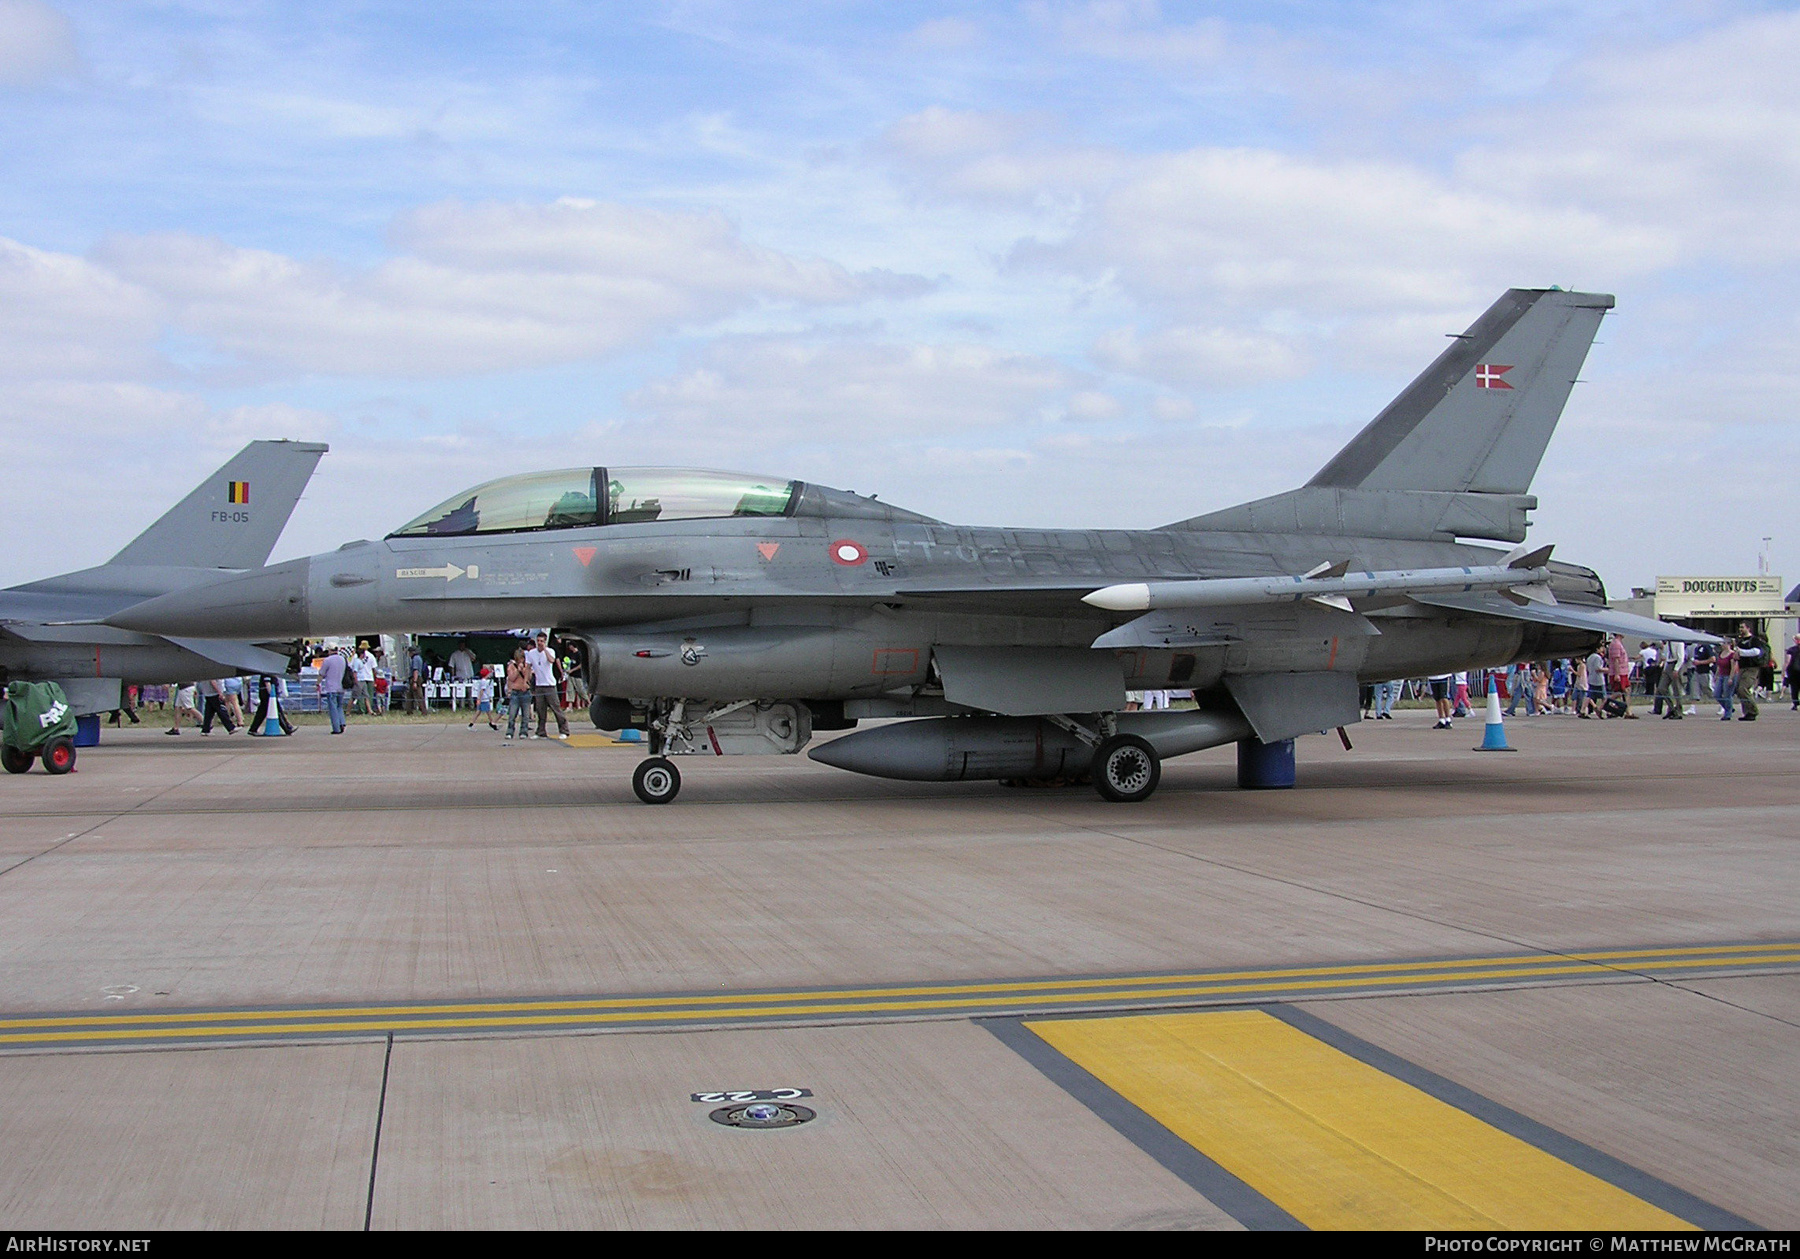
<point x="1333" y="1141"/>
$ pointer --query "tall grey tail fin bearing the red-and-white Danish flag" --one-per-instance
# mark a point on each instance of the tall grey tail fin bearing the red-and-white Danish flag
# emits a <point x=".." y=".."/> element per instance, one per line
<point x="1457" y="451"/>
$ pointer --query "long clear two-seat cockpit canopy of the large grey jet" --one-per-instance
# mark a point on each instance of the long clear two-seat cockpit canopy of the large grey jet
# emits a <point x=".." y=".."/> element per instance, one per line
<point x="580" y="498"/>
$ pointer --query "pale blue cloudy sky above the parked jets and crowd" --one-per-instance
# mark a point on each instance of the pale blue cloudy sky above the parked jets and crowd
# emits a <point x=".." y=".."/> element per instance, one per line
<point x="1012" y="264"/>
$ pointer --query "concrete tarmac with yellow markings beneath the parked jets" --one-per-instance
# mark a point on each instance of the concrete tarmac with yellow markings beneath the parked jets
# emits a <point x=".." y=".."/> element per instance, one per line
<point x="415" y="979"/>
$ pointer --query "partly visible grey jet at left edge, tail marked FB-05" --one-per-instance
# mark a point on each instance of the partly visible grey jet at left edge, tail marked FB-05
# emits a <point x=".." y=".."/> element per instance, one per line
<point x="49" y="631"/>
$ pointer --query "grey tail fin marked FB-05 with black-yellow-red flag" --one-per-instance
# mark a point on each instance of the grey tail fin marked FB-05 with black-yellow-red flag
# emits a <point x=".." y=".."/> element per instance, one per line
<point x="237" y="514"/>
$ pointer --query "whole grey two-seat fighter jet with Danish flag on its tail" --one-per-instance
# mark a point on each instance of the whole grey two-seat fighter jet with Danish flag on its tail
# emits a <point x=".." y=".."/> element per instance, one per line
<point x="737" y="615"/>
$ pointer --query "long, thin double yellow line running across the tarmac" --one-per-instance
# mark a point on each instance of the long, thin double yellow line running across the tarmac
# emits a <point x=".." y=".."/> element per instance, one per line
<point x="724" y="1010"/>
